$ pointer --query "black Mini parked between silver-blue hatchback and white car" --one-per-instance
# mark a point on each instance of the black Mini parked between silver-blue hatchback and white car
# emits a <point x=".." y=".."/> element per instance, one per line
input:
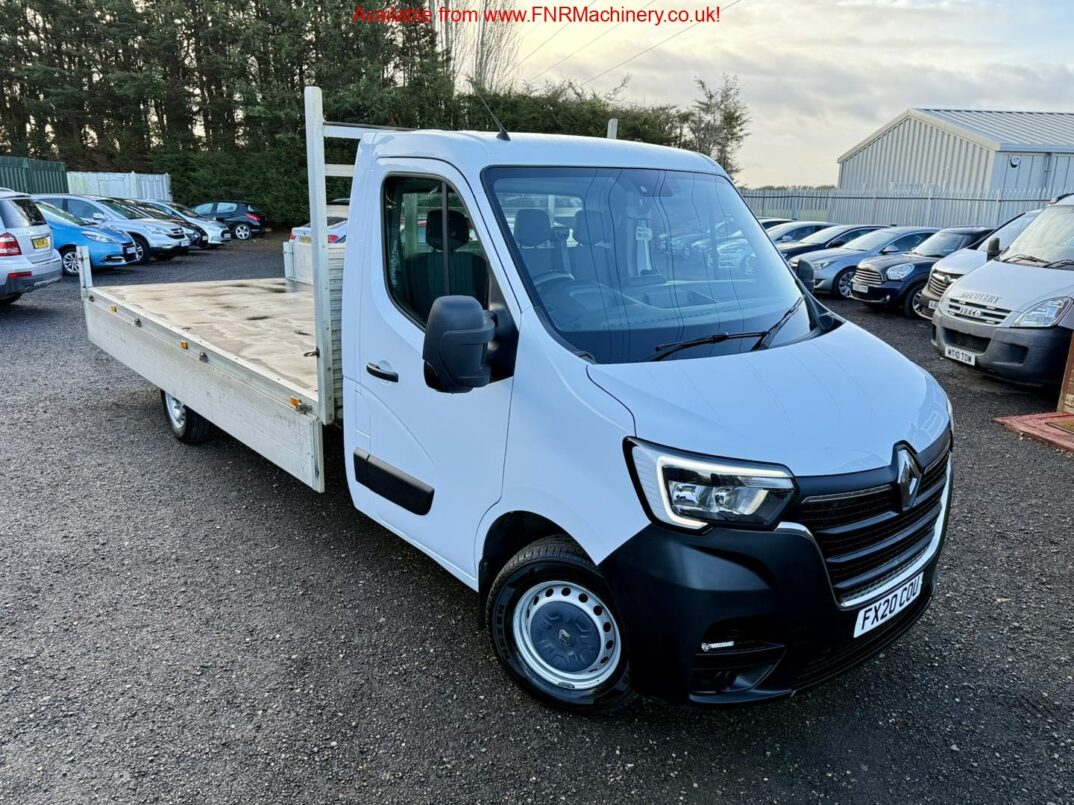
<point x="898" y="281"/>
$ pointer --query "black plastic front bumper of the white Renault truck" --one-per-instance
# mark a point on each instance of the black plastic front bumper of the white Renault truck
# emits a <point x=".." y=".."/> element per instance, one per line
<point x="735" y="617"/>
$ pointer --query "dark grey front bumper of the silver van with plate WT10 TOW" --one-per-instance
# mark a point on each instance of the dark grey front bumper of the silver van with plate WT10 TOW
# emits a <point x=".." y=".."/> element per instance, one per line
<point x="1033" y="356"/>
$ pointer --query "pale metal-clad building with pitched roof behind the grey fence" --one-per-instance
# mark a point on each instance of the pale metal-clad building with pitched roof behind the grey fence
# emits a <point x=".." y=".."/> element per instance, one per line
<point x="965" y="151"/>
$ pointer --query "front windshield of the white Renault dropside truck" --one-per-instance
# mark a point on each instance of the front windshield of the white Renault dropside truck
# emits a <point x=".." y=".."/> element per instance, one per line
<point x="626" y="262"/>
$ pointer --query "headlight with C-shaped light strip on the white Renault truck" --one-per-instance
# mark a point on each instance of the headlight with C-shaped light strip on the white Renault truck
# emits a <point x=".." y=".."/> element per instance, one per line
<point x="695" y="493"/>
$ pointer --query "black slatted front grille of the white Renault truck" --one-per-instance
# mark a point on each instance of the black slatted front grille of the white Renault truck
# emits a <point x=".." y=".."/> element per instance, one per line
<point x="864" y="536"/>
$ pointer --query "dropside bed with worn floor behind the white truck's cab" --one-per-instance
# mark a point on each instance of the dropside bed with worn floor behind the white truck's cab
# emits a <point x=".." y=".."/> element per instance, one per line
<point x="245" y="355"/>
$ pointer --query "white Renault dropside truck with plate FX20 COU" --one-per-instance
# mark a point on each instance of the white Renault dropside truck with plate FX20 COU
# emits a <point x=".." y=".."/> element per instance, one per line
<point x="663" y="474"/>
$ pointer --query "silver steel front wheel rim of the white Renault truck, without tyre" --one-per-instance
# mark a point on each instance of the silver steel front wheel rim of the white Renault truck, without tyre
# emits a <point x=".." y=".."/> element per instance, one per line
<point x="567" y="636"/>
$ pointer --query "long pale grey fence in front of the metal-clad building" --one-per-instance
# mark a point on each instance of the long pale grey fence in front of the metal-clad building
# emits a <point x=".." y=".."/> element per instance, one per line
<point x="909" y="209"/>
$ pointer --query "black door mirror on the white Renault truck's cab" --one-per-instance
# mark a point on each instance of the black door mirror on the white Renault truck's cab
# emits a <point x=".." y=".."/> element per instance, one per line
<point x="457" y="342"/>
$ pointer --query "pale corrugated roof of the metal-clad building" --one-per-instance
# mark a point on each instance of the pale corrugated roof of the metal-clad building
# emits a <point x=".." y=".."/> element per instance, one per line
<point x="998" y="130"/>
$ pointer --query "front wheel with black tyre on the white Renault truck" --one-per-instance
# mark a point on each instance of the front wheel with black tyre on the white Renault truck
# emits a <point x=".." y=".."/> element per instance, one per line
<point x="555" y="628"/>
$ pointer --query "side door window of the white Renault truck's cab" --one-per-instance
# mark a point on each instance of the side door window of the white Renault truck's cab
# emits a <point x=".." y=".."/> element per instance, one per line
<point x="430" y="246"/>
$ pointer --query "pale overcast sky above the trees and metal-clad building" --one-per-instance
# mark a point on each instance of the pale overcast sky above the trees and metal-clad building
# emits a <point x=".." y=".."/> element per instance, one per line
<point x="820" y="76"/>
